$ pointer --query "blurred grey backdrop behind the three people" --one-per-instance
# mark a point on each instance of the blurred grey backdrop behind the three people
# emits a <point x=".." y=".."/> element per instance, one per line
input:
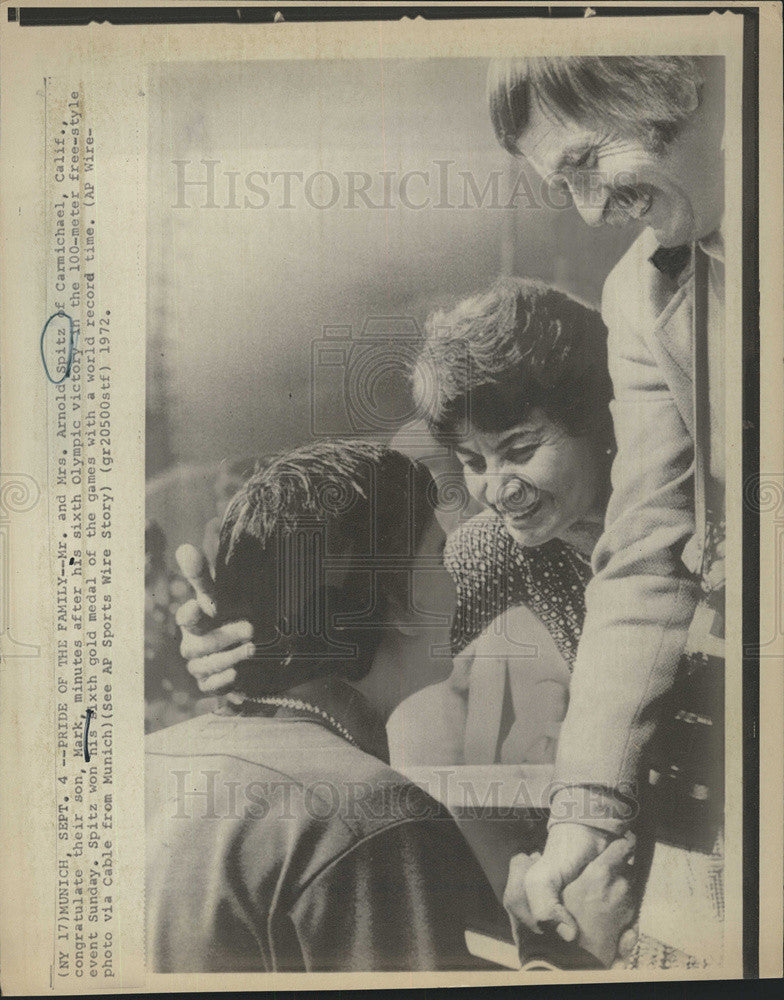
<point x="300" y="211"/>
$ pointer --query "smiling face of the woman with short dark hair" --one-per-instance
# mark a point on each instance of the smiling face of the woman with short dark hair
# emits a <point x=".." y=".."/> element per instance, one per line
<point x="538" y="477"/>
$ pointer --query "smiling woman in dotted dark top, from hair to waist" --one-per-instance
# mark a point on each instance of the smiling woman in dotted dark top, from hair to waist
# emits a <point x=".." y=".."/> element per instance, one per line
<point x="515" y="381"/>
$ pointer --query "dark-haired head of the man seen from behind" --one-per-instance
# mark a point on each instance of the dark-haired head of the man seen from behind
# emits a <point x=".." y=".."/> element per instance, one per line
<point x="314" y="549"/>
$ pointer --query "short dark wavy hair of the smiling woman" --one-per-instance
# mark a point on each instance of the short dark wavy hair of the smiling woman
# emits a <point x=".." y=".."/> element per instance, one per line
<point x="522" y="345"/>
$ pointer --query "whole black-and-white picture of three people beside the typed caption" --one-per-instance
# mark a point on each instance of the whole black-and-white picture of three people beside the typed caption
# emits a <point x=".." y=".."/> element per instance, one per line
<point x="434" y="550"/>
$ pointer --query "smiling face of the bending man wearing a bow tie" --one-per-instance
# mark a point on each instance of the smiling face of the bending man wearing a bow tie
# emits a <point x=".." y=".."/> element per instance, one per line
<point x="677" y="192"/>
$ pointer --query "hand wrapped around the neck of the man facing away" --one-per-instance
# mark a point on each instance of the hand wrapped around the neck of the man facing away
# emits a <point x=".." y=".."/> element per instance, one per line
<point x="213" y="651"/>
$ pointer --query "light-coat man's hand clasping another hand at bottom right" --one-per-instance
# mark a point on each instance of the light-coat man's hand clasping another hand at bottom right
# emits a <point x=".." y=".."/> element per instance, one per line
<point x="533" y="893"/>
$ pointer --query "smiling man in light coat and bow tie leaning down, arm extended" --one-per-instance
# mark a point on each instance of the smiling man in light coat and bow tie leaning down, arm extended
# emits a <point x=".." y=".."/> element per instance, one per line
<point x="634" y="139"/>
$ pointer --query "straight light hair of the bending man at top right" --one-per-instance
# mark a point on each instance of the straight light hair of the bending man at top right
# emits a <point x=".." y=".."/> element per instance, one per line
<point x="647" y="97"/>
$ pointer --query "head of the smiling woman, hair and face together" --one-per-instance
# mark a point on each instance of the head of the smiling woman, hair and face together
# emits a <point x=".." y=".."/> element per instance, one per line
<point x="516" y="380"/>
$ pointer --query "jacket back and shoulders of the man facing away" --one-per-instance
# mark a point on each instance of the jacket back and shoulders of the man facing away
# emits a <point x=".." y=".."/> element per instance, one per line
<point x="266" y="838"/>
